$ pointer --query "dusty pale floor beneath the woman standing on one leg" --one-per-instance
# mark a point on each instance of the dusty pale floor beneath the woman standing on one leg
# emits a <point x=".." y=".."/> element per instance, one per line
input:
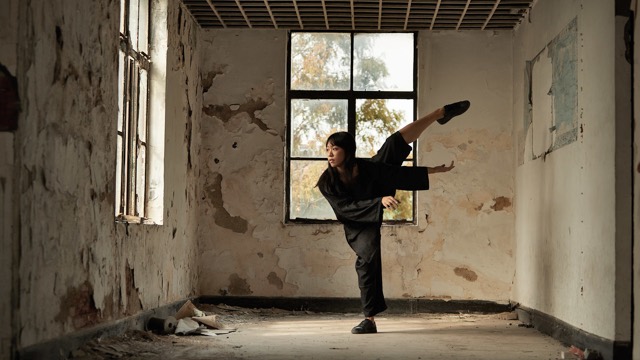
<point x="277" y="334"/>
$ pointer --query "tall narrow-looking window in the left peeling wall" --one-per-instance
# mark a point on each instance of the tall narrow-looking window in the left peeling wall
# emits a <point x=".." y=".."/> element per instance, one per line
<point x="132" y="150"/>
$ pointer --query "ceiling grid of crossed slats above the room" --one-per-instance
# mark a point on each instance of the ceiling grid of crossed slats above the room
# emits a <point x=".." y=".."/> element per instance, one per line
<point x="360" y="15"/>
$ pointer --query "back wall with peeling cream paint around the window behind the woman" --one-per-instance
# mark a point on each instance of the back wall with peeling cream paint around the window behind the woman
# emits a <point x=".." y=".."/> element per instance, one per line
<point x="462" y="247"/>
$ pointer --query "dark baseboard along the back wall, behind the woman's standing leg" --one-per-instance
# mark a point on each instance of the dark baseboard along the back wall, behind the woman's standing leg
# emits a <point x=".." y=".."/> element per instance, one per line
<point x="352" y="305"/>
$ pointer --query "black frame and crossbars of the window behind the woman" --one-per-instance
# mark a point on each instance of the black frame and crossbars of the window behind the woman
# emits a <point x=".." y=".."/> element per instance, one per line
<point x="351" y="96"/>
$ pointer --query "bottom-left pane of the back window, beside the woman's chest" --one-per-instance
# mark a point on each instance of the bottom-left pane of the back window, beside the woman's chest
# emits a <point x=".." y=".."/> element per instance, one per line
<point x="306" y="201"/>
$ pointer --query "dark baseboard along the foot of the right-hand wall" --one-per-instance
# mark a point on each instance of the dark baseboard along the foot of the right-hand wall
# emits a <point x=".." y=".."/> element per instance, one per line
<point x="571" y="335"/>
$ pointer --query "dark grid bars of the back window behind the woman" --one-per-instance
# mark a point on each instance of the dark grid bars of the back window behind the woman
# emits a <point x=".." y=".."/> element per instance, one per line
<point x="351" y="96"/>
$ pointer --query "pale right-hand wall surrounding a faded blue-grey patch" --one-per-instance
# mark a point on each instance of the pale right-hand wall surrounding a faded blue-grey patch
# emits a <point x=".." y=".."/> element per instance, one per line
<point x="566" y="219"/>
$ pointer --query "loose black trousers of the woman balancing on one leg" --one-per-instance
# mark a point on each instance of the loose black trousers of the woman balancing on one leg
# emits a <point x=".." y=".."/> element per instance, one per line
<point x="394" y="151"/>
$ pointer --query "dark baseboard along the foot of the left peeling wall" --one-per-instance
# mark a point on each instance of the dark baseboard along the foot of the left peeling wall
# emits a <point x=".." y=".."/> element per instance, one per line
<point x="60" y="348"/>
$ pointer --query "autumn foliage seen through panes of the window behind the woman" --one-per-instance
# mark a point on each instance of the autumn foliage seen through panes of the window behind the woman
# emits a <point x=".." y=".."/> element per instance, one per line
<point x="321" y="61"/>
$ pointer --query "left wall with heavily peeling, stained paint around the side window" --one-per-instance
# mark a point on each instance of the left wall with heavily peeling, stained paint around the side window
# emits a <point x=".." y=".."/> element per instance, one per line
<point x="78" y="267"/>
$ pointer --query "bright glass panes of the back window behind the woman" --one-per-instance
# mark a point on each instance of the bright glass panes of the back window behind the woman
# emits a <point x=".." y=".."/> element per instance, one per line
<point x="364" y="83"/>
